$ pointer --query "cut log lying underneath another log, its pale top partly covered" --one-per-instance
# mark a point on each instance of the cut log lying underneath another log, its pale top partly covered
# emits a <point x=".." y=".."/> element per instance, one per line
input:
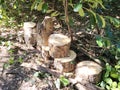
<point x="65" y="64"/>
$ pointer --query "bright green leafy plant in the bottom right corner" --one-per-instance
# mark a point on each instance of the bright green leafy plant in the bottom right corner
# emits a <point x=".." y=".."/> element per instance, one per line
<point x="111" y="78"/>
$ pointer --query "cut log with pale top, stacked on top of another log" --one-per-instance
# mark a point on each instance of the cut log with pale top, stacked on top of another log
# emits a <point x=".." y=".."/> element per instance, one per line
<point x="59" y="45"/>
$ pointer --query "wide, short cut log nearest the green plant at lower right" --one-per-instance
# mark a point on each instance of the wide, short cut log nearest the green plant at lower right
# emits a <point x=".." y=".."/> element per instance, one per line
<point x="88" y="71"/>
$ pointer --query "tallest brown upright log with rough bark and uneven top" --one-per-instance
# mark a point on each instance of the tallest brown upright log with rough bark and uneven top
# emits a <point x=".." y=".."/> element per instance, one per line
<point x="44" y="30"/>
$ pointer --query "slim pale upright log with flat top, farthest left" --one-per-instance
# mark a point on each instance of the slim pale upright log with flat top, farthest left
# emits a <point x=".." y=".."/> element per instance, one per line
<point x="30" y="34"/>
